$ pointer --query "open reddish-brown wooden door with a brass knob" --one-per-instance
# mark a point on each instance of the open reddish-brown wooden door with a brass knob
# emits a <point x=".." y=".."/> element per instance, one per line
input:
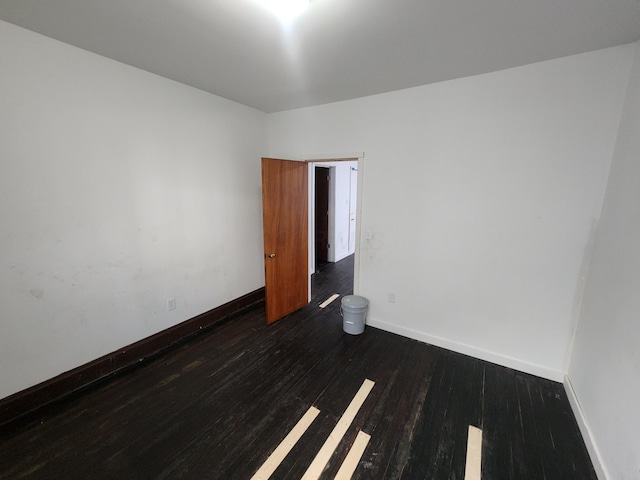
<point x="285" y="219"/>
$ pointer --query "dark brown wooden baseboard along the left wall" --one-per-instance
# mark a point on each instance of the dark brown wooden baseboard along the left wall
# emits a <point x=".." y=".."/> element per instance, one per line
<point x="32" y="399"/>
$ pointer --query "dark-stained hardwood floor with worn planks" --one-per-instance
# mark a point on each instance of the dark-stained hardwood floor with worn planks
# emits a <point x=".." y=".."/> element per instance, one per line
<point x="215" y="408"/>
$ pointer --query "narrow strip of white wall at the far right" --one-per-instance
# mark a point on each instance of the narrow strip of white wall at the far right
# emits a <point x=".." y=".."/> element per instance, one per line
<point x="604" y="373"/>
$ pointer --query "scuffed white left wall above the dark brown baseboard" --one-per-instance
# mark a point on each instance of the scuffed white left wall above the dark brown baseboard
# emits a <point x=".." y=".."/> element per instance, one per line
<point x="118" y="190"/>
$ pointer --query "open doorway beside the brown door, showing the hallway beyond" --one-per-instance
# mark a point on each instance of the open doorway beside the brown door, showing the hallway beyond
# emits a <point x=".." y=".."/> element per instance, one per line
<point x="333" y="199"/>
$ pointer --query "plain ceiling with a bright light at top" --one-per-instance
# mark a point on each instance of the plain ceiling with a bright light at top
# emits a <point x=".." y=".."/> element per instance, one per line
<point x="336" y="50"/>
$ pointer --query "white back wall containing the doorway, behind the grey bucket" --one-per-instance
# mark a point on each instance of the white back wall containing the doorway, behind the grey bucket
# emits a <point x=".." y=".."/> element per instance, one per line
<point x="480" y="196"/>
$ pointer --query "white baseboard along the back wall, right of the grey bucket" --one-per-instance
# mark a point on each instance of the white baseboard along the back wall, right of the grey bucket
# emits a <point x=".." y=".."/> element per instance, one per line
<point x="533" y="369"/>
